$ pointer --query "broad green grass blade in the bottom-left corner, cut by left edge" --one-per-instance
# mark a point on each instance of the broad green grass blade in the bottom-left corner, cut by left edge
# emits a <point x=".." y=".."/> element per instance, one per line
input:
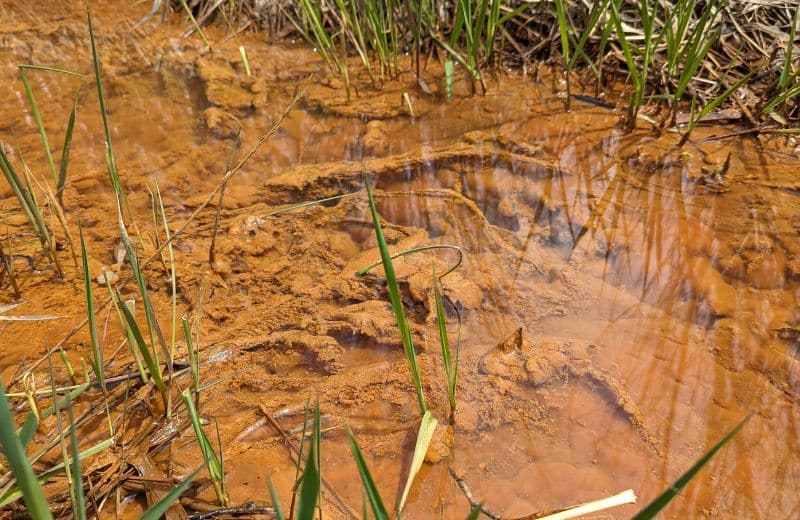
<point x="15" y="455"/>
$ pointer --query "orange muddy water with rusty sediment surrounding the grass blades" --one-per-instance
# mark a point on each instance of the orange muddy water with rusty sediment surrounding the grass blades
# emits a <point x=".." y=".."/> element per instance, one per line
<point x="624" y="302"/>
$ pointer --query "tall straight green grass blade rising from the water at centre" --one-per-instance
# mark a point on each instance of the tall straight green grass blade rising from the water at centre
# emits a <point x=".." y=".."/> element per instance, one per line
<point x="397" y="303"/>
